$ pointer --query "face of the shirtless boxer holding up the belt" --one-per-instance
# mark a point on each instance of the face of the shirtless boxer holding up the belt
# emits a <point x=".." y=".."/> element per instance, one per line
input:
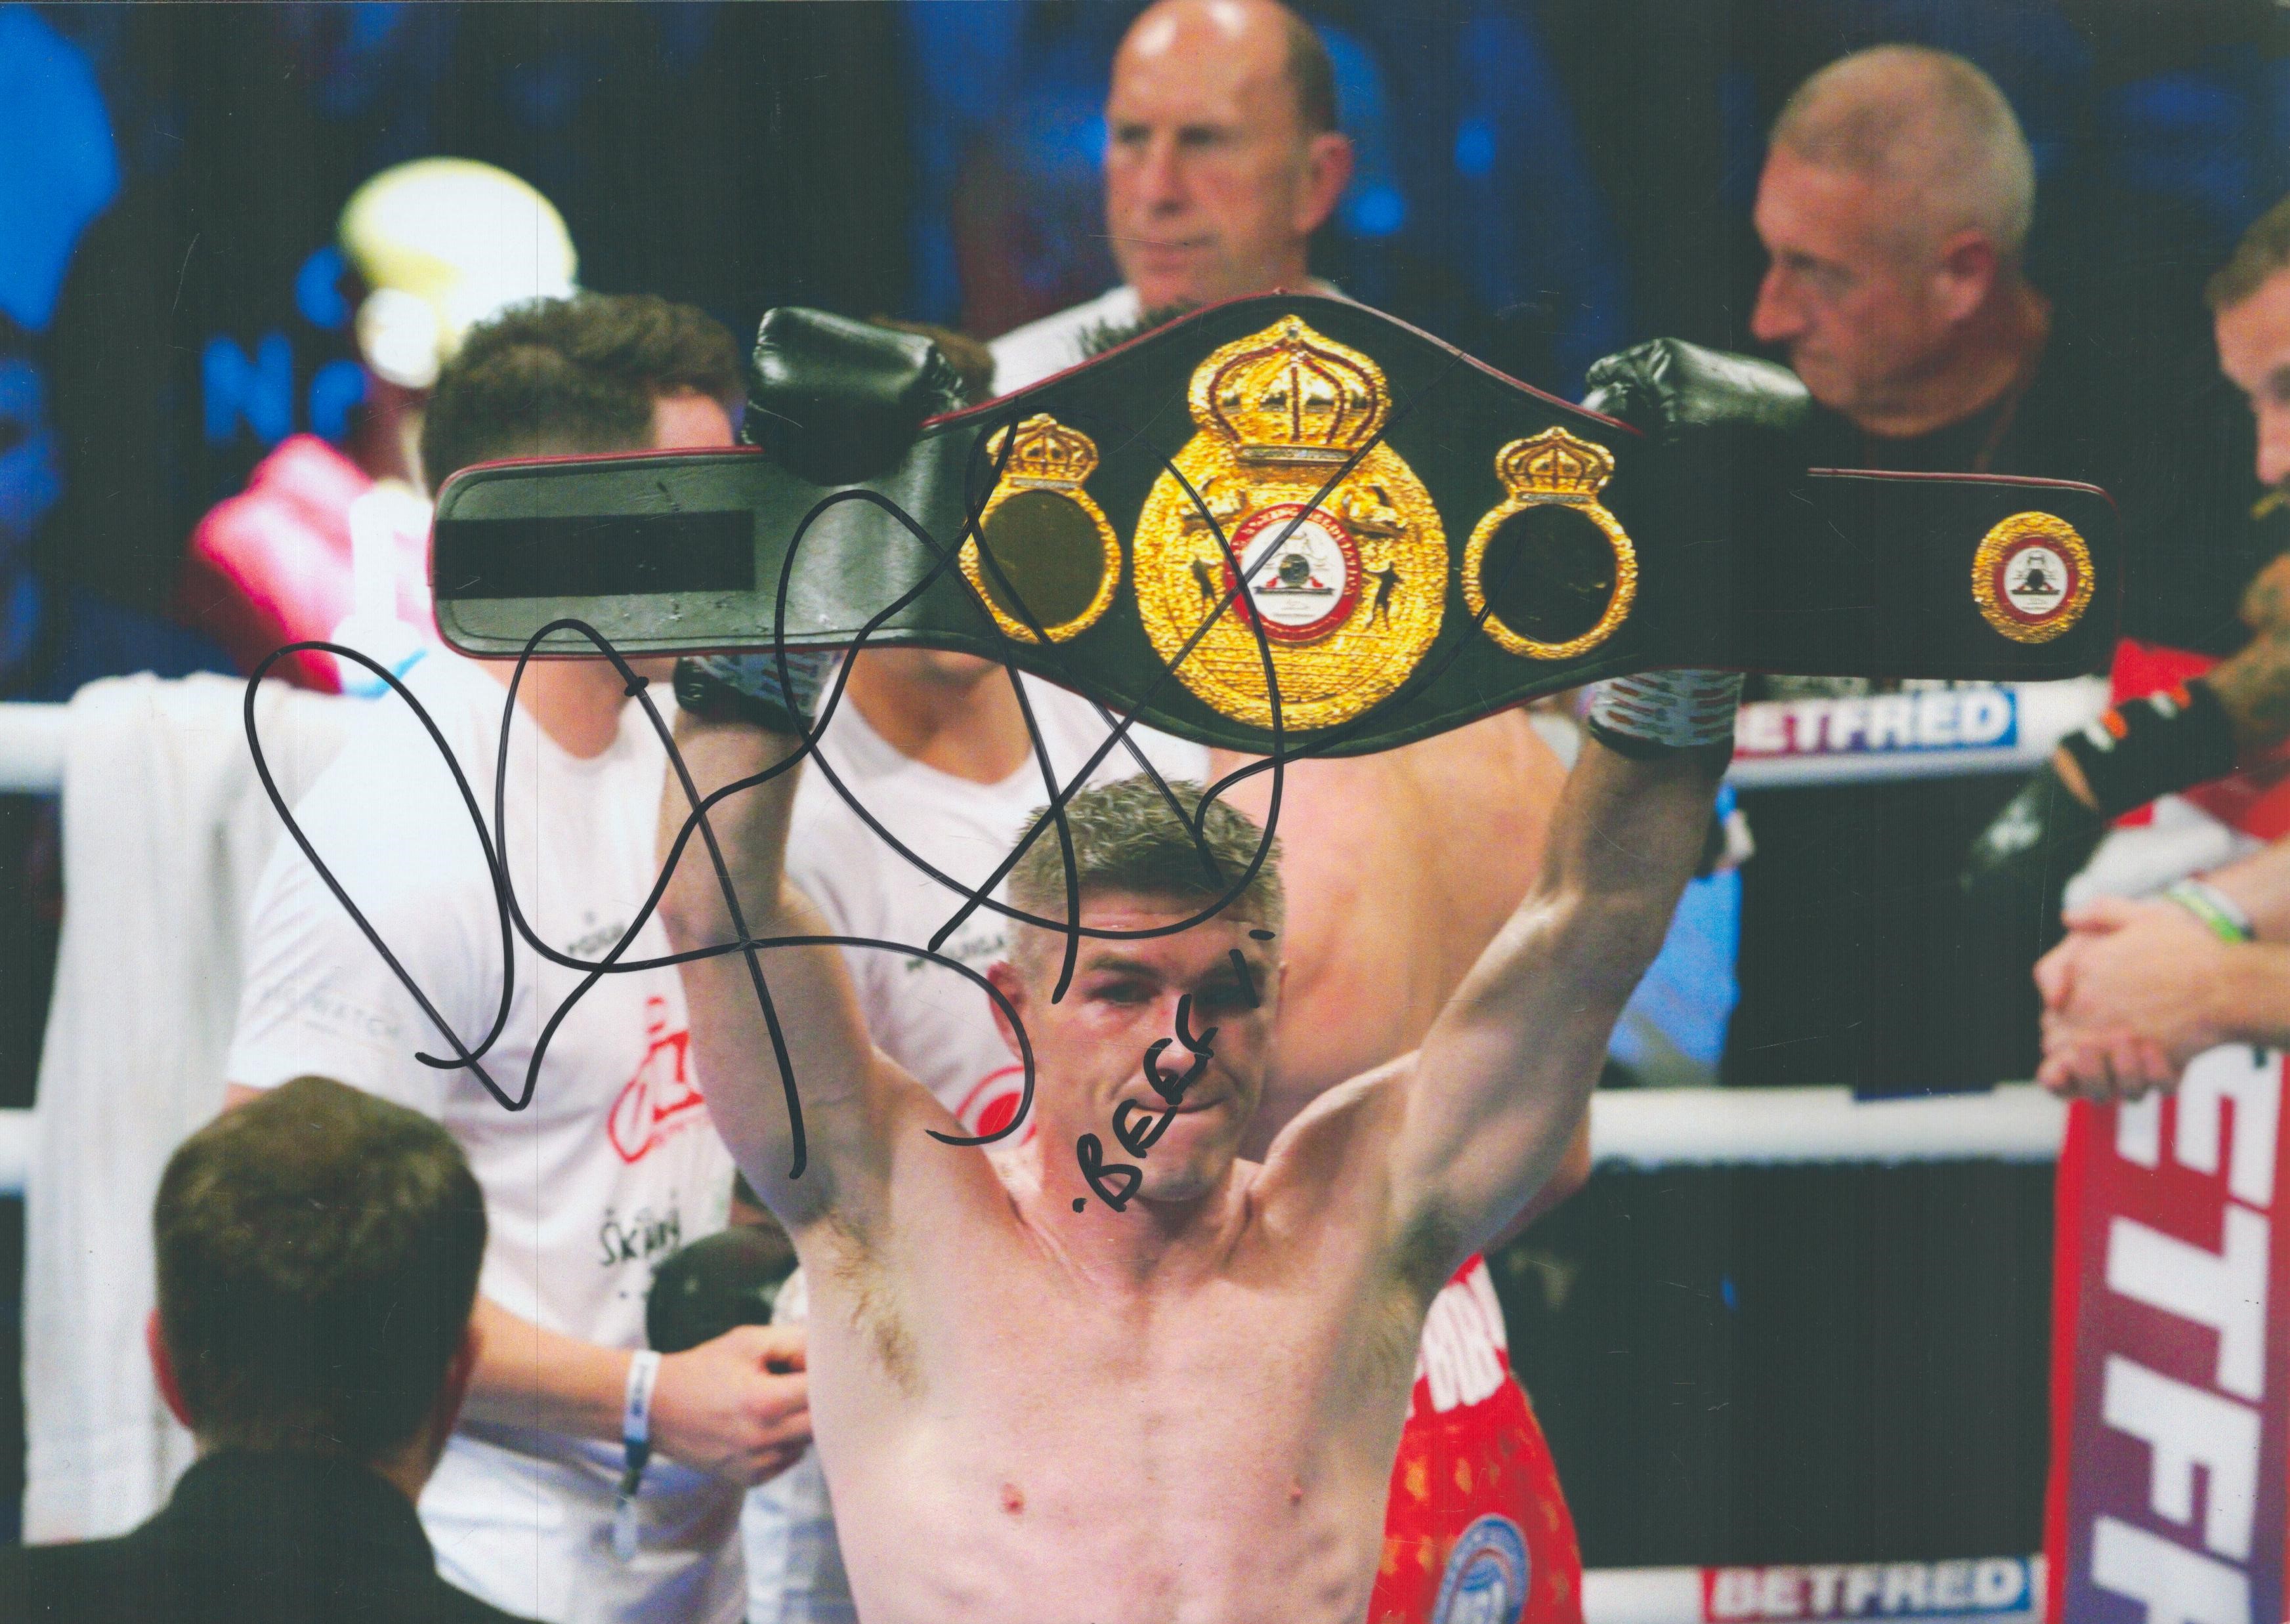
<point x="1091" y="1046"/>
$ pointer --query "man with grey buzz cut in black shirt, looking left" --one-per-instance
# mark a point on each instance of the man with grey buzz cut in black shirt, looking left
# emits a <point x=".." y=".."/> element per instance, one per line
<point x="1897" y="207"/>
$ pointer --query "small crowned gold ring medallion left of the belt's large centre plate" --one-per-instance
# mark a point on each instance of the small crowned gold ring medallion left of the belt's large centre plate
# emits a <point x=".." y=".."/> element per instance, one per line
<point x="1050" y="553"/>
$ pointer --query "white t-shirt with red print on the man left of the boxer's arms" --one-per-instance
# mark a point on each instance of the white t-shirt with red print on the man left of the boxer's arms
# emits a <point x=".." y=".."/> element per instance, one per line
<point x="613" y="1165"/>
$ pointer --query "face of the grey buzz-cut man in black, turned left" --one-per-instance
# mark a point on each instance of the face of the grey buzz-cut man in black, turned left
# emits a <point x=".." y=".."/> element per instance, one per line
<point x="1845" y="290"/>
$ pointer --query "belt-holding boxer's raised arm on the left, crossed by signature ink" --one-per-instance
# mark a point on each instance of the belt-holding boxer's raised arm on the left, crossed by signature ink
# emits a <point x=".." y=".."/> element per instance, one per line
<point x="734" y="727"/>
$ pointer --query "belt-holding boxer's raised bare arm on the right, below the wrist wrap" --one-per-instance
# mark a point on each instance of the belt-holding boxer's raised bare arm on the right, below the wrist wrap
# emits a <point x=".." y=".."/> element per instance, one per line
<point x="1497" y="1094"/>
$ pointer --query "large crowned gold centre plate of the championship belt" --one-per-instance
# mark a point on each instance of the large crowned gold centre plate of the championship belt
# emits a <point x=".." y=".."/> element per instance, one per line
<point x="1348" y="592"/>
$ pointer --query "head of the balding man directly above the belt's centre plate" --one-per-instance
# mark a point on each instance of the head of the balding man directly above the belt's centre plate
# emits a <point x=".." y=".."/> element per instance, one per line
<point x="1213" y="184"/>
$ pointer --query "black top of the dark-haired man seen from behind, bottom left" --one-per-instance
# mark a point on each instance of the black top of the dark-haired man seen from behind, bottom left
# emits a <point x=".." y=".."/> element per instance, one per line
<point x="251" y="1540"/>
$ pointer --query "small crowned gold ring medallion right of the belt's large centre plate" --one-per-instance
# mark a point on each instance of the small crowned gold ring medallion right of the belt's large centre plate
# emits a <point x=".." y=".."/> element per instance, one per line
<point x="1565" y="574"/>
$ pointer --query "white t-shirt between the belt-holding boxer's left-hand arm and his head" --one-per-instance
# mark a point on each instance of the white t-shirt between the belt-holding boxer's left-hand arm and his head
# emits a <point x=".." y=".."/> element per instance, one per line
<point x="935" y="1023"/>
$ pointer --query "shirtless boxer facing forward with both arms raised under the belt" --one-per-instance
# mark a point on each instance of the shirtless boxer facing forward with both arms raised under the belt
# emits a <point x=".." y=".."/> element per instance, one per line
<point x="1185" y="1408"/>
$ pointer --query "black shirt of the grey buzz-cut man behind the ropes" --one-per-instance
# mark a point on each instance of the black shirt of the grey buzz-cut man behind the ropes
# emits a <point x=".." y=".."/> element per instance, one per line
<point x="1861" y="961"/>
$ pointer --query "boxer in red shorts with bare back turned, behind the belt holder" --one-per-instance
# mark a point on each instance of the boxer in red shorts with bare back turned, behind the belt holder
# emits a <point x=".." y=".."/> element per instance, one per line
<point x="1400" y="869"/>
